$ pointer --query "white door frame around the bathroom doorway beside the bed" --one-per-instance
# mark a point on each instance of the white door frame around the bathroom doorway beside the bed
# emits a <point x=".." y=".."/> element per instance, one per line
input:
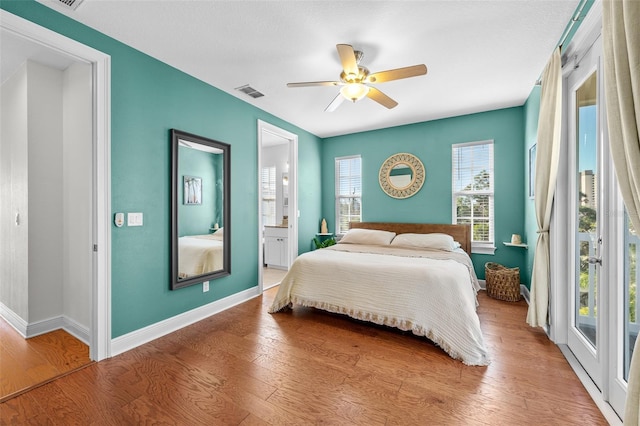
<point x="264" y="127"/>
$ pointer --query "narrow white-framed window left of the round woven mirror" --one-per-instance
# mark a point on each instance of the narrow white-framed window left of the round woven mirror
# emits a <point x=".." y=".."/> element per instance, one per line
<point x="348" y="192"/>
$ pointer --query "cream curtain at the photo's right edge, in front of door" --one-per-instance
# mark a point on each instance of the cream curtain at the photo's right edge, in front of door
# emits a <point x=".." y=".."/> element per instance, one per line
<point x="621" y="42"/>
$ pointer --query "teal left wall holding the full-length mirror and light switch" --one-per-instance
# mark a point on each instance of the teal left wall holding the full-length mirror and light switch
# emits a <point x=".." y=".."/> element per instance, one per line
<point x="143" y="110"/>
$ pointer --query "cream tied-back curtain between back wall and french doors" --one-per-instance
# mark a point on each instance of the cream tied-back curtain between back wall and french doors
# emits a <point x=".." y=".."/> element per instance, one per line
<point x="547" y="157"/>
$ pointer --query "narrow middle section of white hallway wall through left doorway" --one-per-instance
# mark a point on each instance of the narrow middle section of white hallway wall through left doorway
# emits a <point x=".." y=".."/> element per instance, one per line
<point x="45" y="191"/>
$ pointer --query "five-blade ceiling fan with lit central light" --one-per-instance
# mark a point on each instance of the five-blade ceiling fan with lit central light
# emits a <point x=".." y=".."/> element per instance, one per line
<point x="355" y="79"/>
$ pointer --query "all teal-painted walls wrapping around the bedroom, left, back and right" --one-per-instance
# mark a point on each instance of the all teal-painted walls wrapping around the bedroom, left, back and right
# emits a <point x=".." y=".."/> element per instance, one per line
<point x="145" y="109"/>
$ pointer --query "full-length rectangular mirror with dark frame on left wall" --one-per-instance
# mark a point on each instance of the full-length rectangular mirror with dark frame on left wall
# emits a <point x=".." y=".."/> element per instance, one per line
<point x="200" y="204"/>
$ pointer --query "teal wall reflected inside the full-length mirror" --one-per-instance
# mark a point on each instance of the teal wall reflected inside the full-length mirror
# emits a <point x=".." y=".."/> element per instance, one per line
<point x="196" y="219"/>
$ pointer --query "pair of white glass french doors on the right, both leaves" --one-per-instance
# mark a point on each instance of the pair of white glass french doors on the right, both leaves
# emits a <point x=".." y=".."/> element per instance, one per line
<point x="603" y="306"/>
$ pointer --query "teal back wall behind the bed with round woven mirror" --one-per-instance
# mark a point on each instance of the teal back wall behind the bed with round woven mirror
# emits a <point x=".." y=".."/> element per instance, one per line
<point x="431" y="142"/>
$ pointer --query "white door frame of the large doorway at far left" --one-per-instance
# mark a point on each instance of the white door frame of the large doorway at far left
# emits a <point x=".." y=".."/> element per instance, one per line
<point x="100" y="316"/>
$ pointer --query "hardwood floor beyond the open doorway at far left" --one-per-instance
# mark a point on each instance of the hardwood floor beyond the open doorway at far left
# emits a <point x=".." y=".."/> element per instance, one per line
<point x="25" y="363"/>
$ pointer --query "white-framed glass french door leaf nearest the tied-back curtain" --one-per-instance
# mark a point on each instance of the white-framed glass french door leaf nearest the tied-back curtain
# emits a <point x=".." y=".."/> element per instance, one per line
<point x="586" y="220"/>
